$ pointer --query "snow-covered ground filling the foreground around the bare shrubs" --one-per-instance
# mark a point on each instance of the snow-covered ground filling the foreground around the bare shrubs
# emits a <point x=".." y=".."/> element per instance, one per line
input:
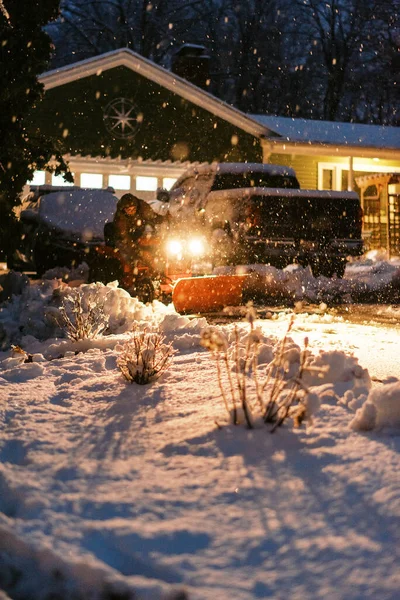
<point x="112" y="490"/>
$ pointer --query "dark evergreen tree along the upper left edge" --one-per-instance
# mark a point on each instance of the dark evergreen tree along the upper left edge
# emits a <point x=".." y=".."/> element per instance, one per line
<point x="24" y="54"/>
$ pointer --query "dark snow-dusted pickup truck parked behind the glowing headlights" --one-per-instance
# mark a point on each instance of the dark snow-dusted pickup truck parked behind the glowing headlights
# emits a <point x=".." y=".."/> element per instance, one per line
<point x="256" y="213"/>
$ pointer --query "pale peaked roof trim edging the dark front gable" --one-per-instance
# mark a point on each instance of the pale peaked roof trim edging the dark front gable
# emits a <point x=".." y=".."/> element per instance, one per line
<point x="167" y="79"/>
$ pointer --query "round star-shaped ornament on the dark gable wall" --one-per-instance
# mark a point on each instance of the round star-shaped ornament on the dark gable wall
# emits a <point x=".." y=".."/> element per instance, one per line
<point x="121" y="118"/>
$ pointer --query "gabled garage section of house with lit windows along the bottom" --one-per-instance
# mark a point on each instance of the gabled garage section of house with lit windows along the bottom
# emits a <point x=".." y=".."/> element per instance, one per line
<point x="131" y="124"/>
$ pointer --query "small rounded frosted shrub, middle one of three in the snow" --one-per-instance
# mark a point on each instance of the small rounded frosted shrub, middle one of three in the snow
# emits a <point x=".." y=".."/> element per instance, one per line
<point x="144" y="357"/>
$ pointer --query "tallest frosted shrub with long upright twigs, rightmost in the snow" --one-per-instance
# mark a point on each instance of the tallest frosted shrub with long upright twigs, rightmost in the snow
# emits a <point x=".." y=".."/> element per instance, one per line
<point x="278" y="389"/>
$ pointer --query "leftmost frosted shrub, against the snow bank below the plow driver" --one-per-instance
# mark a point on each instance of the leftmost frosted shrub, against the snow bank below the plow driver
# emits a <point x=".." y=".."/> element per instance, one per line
<point x="81" y="315"/>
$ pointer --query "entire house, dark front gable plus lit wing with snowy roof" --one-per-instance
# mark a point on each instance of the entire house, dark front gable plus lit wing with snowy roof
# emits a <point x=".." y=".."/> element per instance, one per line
<point x="131" y="124"/>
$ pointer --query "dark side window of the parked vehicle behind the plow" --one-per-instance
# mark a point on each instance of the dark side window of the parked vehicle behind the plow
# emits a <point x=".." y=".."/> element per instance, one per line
<point x="228" y="181"/>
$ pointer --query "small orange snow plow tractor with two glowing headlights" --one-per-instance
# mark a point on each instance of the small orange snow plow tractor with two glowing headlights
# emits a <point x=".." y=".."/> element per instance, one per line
<point x="176" y="269"/>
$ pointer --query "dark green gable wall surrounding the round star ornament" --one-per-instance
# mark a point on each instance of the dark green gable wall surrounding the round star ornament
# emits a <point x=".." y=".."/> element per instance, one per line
<point x="172" y="128"/>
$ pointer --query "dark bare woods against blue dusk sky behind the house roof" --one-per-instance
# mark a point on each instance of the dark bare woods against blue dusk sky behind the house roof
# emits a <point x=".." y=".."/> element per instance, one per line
<point x="321" y="59"/>
